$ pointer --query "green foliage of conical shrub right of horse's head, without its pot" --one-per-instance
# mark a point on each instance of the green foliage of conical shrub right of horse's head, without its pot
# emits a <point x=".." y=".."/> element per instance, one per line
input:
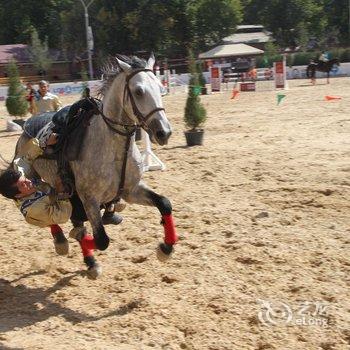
<point x="195" y="113"/>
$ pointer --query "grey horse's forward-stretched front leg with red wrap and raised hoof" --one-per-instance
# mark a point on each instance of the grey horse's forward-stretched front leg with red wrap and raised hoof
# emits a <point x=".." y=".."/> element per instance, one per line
<point x="144" y="196"/>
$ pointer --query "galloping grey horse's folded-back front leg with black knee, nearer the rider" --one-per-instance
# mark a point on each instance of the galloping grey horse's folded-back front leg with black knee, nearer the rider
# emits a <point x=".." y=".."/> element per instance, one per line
<point x="92" y="208"/>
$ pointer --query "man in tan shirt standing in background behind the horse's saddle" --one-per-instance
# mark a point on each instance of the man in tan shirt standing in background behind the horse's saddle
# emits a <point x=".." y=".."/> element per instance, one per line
<point x="44" y="101"/>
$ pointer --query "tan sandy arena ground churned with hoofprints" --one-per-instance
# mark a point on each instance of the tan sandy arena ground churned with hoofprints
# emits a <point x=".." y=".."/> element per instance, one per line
<point x="263" y="214"/>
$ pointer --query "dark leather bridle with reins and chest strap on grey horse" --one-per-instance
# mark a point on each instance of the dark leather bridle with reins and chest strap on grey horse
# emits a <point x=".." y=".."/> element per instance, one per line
<point x="130" y="129"/>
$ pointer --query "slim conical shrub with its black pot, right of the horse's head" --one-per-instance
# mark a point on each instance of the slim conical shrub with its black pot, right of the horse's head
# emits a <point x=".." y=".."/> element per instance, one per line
<point x="195" y="113"/>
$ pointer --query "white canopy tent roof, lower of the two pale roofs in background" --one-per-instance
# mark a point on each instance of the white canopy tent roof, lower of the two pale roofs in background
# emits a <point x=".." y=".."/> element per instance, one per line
<point x="231" y="50"/>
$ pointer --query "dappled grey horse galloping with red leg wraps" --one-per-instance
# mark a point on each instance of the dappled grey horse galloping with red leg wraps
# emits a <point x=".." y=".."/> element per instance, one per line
<point x="109" y="167"/>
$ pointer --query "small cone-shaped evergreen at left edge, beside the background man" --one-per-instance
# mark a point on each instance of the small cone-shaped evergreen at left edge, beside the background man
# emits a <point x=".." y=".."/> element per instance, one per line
<point x="16" y="102"/>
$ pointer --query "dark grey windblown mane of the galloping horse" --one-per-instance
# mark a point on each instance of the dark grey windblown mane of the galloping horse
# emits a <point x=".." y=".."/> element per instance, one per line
<point x="111" y="69"/>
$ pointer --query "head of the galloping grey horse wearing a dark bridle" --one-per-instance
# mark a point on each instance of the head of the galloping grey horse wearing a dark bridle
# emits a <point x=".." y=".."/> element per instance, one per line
<point x="142" y="98"/>
